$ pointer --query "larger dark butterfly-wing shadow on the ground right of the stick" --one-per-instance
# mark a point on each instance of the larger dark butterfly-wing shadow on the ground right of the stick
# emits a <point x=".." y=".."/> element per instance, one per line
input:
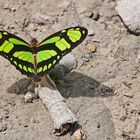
<point x="76" y="84"/>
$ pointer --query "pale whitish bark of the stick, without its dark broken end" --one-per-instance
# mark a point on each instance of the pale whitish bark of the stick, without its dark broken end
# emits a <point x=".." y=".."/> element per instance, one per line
<point x="56" y="105"/>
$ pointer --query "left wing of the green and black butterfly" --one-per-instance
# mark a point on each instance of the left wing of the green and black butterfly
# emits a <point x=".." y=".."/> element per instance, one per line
<point x="18" y="52"/>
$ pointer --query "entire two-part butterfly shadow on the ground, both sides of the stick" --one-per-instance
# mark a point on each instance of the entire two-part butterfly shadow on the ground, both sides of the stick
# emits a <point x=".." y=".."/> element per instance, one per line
<point x="72" y="85"/>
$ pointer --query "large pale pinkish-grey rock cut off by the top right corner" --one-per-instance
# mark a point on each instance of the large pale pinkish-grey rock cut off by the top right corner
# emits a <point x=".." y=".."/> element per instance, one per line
<point x="129" y="11"/>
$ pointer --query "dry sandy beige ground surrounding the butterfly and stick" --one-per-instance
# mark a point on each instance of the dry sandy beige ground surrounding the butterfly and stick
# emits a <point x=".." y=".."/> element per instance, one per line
<point x="103" y="91"/>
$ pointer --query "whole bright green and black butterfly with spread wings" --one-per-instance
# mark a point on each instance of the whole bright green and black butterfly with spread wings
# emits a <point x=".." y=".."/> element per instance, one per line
<point x="39" y="58"/>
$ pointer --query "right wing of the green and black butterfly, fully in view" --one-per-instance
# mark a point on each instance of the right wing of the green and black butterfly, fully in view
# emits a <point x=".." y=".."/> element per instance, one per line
<point x="53" y="48"/>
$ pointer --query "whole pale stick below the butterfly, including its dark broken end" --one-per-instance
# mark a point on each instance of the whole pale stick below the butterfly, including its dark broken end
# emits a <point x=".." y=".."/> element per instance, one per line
<point x="64" y="120"/>
